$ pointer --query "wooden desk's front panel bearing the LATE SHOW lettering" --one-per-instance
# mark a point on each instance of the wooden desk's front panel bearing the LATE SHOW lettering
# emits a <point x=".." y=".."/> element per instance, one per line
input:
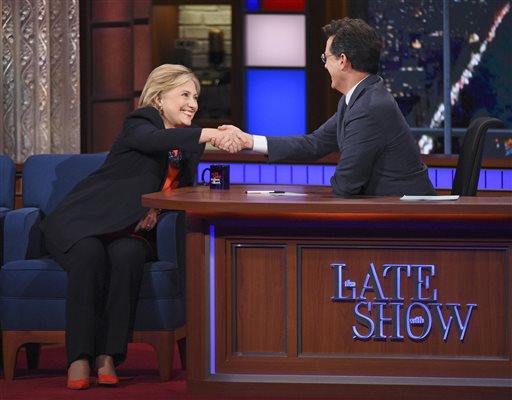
<point x="374" y="306"/>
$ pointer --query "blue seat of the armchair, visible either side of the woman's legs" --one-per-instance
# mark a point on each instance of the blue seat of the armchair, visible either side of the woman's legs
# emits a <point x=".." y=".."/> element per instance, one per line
<point x="33" y="293"/>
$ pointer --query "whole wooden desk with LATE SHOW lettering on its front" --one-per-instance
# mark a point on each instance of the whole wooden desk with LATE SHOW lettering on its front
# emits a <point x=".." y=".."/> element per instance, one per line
<point x="317" y="295"/>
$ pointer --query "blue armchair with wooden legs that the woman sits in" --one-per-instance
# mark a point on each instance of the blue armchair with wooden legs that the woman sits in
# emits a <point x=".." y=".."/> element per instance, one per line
<point x="33" y="286"/>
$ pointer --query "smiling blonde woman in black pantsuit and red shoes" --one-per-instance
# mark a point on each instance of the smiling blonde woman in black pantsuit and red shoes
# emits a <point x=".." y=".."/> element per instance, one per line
<point x="102" y="236"/>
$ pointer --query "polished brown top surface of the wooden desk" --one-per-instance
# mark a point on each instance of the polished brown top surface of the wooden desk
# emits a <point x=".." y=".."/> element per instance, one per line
<point x="315" y="200"/>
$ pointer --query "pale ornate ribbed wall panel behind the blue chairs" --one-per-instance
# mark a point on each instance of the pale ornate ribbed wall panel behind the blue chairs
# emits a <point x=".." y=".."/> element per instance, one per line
<point x="40" y="113"/>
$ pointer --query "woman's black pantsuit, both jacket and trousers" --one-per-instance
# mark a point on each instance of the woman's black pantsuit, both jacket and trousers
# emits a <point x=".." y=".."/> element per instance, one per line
<point x="104" y="275"/>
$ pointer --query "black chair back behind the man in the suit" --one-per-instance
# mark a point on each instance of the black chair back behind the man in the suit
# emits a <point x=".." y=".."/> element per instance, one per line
<point x="465" y="182"/>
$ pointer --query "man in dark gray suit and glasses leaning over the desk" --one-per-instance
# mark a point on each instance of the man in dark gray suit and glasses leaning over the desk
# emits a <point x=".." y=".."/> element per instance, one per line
<point x="378" y="154"/>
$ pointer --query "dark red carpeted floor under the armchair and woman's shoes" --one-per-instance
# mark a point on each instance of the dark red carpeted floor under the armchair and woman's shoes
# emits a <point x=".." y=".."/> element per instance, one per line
<point x="138" y="380"/>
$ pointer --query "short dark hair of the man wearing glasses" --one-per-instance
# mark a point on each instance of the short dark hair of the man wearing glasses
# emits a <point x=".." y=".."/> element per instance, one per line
<point x="357" y="40"/>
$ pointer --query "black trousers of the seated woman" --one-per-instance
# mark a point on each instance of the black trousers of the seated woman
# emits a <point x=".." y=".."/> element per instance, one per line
<point x="103" y="285"/>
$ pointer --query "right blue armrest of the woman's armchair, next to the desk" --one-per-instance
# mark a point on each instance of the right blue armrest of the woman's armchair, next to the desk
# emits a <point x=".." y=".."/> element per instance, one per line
<point x="170" y="233"/>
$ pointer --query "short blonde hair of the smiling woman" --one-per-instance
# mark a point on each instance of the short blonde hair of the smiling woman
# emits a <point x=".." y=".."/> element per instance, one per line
<point x="164" y="78"/>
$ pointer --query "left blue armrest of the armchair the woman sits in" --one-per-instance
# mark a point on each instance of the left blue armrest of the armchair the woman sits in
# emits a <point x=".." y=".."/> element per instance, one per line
<point x="22" y="237"/>
